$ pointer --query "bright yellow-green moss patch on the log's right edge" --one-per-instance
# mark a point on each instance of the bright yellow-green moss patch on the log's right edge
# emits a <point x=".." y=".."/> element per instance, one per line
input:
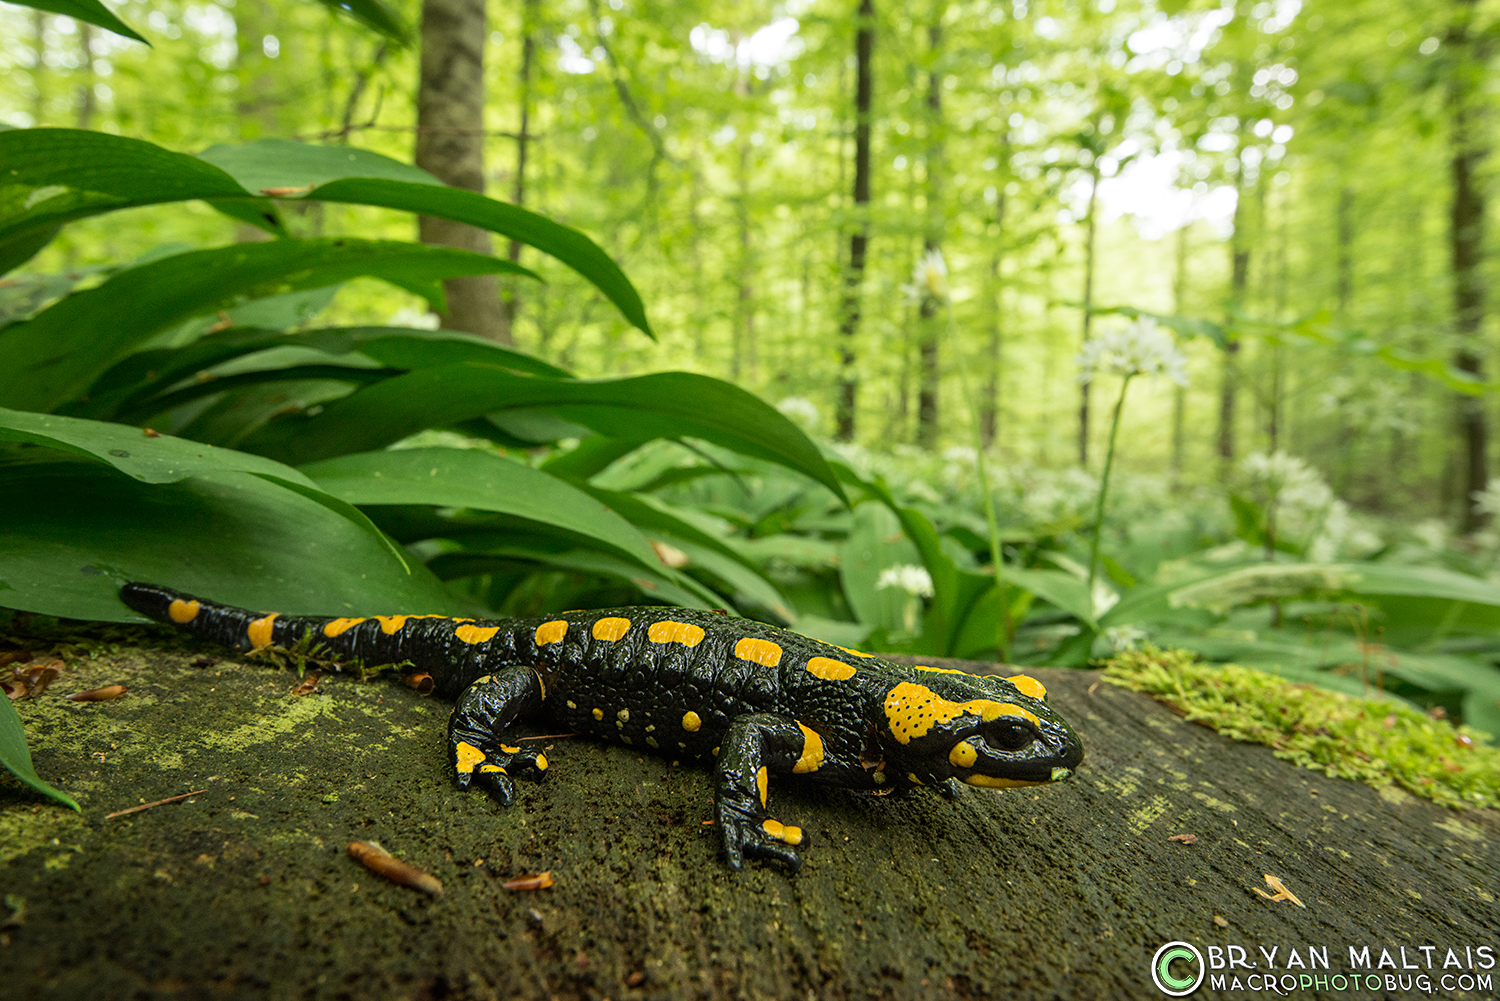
<point x="1376" y="742"/>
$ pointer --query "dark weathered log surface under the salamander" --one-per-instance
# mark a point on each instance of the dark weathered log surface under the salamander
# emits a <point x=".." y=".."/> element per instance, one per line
<point x="247" y="889"/>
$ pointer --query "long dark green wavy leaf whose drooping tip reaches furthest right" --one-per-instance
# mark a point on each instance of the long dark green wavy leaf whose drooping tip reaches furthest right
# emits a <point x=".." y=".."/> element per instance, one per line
<point x="662" y="406"/>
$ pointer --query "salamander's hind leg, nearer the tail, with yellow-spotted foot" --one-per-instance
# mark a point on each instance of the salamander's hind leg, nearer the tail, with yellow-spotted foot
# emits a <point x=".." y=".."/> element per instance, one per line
<point x="475" y="733"/>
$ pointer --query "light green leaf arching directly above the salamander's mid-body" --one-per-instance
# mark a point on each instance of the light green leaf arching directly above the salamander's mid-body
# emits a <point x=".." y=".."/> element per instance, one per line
<point x="466" y="478"/>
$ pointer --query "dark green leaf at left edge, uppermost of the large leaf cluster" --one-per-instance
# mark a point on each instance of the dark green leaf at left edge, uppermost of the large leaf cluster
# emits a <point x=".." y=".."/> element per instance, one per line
<point x="53" y="176"/>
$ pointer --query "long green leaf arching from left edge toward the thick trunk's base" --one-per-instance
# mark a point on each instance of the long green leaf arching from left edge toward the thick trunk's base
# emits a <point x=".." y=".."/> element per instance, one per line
<point x="59" y="352"/>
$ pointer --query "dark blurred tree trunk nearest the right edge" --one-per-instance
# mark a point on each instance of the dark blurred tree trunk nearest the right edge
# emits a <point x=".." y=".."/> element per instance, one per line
<point x="1469" y="149"/>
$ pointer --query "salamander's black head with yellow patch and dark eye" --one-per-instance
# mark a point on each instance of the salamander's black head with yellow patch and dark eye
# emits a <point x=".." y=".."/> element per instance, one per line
<point x="985" y="732"/>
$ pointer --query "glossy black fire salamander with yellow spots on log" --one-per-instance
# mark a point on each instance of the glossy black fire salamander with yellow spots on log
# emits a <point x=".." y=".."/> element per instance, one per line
<point x="755" y="699"/>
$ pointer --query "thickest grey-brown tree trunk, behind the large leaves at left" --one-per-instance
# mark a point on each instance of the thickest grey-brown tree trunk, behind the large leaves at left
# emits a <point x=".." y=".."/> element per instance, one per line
<point x="451" y="146"/>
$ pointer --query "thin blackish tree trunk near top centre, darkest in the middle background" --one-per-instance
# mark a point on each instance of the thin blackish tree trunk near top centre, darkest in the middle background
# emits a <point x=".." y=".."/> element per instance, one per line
<point x="859" y="241"/>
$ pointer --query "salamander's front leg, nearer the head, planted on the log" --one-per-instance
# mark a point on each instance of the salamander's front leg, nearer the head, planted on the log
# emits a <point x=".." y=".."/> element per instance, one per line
<point x="754" y="750"/>
